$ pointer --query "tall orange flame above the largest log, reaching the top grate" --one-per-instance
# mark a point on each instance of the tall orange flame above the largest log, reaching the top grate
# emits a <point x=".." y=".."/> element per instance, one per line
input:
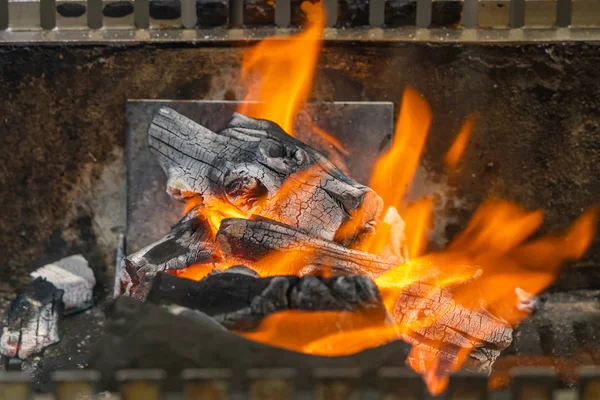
<point x="286" y="68"/>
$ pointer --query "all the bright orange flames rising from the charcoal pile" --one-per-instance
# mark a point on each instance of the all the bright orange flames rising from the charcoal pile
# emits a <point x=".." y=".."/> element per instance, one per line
<point x="488" y="269"/>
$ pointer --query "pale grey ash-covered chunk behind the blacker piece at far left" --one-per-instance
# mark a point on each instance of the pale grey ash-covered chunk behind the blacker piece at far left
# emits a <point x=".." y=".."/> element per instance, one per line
<point x="74" y="276"/>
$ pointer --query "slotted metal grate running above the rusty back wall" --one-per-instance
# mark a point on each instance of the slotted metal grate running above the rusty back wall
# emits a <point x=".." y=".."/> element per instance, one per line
<point x="236" y="20"/>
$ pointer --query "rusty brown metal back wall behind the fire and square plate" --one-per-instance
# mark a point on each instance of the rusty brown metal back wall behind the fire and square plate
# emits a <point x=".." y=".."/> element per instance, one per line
<point x="63" y="121"/>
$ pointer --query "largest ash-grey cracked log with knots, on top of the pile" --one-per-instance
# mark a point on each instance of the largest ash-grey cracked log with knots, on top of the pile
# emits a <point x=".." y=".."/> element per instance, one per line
<point x="257" y="167"/>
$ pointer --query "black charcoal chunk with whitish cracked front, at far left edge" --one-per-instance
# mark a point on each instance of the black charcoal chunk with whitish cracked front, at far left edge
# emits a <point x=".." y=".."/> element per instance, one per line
<point x="32" y="320"/>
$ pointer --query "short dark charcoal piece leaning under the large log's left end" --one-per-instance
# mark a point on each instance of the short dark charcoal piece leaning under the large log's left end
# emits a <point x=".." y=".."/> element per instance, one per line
<point x="190" y="241"/>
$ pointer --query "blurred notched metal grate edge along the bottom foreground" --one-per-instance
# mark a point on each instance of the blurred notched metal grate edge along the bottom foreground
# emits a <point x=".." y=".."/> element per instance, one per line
<point x="387" y="383"/>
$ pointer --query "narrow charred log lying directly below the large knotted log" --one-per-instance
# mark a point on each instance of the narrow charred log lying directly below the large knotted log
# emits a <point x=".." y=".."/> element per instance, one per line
<point x="251" y="241"/>
